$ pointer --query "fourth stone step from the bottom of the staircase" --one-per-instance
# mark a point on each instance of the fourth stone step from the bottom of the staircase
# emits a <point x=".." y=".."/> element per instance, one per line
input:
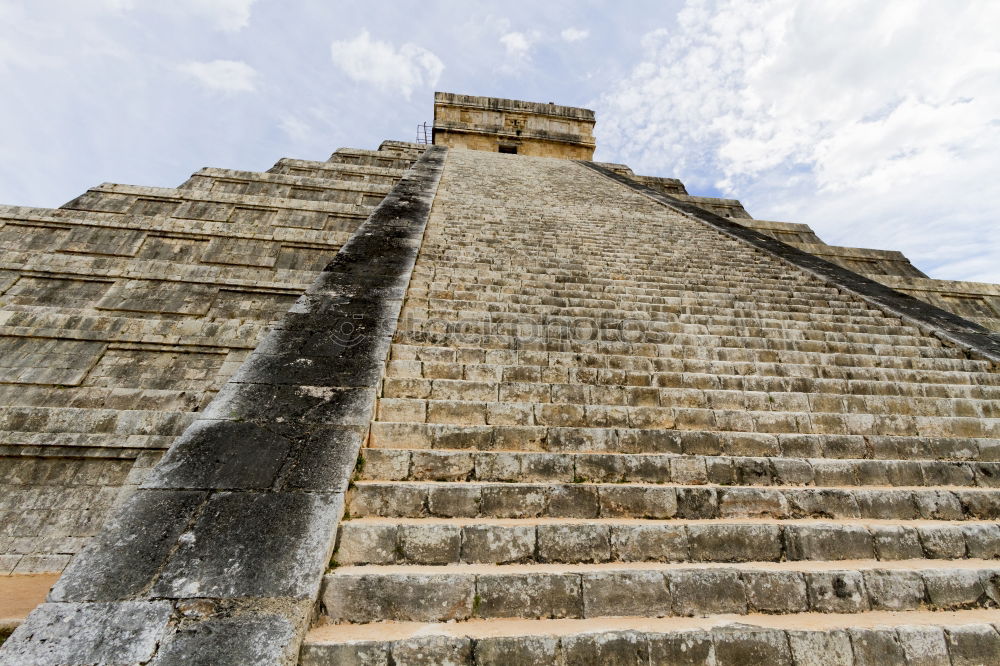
<point x="412" y="499"/>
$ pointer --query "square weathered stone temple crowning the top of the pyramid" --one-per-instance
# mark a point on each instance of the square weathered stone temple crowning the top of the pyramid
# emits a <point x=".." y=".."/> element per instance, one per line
<point x="513" y="126"/>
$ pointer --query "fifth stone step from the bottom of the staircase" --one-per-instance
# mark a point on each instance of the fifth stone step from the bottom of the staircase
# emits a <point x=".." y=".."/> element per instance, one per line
<point x="510" y="466"/>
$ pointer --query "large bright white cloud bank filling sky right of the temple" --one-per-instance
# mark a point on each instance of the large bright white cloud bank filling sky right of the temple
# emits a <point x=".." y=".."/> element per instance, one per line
<point x="876" y="123"/>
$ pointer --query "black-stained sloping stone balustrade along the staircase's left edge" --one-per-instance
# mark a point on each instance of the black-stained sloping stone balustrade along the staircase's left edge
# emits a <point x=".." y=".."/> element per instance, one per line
<point x="218" y="557"/>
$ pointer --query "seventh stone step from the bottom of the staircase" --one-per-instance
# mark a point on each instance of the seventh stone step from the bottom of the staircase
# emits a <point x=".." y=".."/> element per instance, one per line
<point x="469" y="413"/>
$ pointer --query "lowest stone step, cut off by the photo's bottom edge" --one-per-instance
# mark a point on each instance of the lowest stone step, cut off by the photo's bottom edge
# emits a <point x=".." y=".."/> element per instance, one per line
<point x="870" y="638"/>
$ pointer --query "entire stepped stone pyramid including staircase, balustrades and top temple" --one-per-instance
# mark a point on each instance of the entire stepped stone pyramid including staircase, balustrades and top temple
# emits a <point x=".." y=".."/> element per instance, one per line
<point x="486" y="401"/>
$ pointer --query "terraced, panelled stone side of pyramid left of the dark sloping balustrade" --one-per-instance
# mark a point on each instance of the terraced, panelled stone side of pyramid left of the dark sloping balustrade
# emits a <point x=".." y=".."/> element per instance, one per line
<point x="123" y="312"/>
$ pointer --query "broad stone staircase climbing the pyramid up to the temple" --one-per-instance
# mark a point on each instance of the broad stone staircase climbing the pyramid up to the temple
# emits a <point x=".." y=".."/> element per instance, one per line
<point x="610" y="434"/>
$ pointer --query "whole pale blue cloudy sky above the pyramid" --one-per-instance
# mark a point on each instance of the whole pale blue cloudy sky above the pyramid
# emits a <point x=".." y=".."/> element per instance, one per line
<point x="875" y="122"/>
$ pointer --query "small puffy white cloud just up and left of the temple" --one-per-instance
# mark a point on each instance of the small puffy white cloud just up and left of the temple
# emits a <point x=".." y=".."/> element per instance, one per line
<point x="383" y="65"/>
